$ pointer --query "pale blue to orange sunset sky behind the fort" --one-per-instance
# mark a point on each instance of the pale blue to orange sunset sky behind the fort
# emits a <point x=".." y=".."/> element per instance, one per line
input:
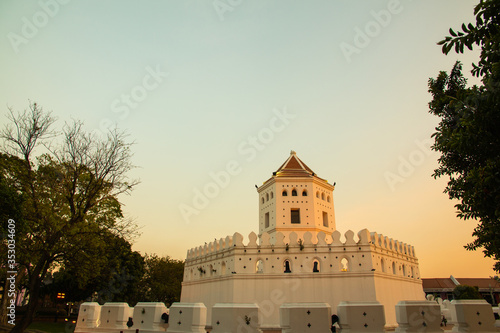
<point x="209" y="88"/>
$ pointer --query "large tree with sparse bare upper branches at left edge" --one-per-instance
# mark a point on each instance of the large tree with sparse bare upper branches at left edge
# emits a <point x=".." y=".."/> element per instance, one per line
<point x="66" y="200"/>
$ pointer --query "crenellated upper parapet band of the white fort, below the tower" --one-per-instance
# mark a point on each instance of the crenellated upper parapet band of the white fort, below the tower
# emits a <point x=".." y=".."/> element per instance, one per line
<point x="314" y="253"/>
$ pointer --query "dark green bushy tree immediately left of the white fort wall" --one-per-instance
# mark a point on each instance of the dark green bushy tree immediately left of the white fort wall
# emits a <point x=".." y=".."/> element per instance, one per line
<point x="162" y="280"/>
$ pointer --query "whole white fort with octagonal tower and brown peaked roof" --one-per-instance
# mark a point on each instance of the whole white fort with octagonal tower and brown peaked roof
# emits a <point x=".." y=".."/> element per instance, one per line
<point x="299" y="256"/>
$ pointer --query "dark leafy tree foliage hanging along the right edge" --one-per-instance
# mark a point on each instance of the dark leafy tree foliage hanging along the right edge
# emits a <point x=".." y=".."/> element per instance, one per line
<point x="467" y="136"/>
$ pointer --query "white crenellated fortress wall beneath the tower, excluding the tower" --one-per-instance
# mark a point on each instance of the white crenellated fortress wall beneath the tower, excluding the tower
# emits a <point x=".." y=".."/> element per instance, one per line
<point x="369" y="268"/>
